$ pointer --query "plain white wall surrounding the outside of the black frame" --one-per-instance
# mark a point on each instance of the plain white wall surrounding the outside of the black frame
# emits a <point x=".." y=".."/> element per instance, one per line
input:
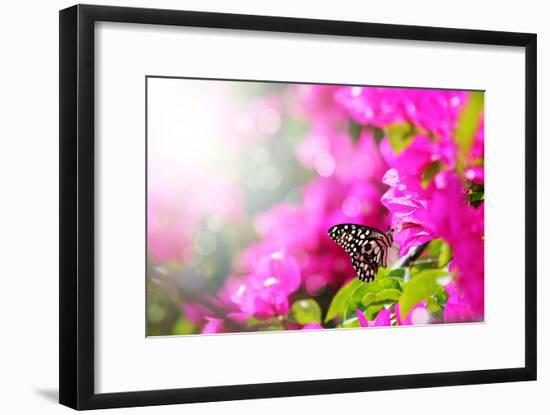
<point x="29" y="205"/>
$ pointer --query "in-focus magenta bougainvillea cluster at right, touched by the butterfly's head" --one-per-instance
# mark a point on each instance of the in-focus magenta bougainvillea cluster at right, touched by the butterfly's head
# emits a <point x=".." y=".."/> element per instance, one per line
<point x="440" y="209"/>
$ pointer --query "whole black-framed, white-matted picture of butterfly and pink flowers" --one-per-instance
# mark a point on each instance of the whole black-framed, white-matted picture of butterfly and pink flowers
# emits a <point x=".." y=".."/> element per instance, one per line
<point x="258" y="206"/>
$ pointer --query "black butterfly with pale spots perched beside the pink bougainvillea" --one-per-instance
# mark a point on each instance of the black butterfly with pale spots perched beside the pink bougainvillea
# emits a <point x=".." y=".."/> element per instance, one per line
<point x="368" y="247"/>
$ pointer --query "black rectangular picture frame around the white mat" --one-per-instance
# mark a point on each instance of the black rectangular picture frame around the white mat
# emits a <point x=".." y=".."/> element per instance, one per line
<point x="77" y="175"/>
